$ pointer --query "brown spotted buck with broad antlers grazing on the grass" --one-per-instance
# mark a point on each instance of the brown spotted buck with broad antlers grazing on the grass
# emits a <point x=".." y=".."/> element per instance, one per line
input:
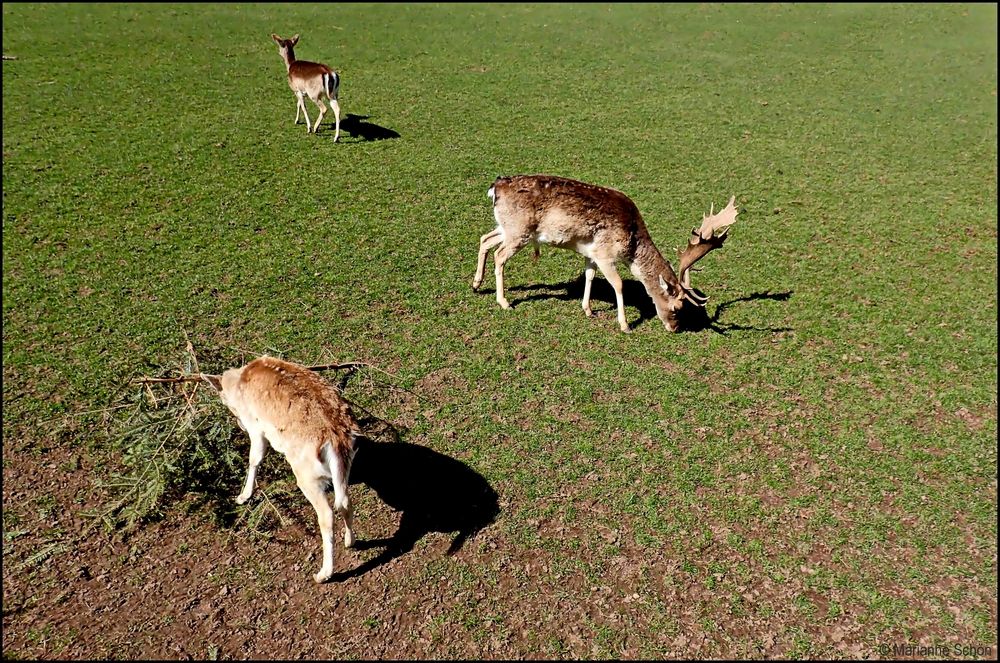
<point x="604" y="226"/>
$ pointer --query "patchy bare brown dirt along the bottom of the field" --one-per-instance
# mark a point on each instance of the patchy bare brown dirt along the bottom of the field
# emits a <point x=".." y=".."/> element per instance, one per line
<point x="442" y="570"/>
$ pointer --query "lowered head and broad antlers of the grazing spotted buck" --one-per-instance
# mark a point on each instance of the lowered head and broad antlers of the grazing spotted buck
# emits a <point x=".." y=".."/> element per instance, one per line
<point x="676" y="289"/>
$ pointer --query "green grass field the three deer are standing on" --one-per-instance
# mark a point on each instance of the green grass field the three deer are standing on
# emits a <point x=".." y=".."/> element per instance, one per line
<point x="814" y="476"/>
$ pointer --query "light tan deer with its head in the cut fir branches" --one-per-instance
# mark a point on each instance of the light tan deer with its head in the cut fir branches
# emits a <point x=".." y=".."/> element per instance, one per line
<point x="304" y="419"/>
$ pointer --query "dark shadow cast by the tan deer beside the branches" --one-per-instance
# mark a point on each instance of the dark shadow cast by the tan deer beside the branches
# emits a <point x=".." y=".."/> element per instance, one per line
<point x="436" y="493"/>
